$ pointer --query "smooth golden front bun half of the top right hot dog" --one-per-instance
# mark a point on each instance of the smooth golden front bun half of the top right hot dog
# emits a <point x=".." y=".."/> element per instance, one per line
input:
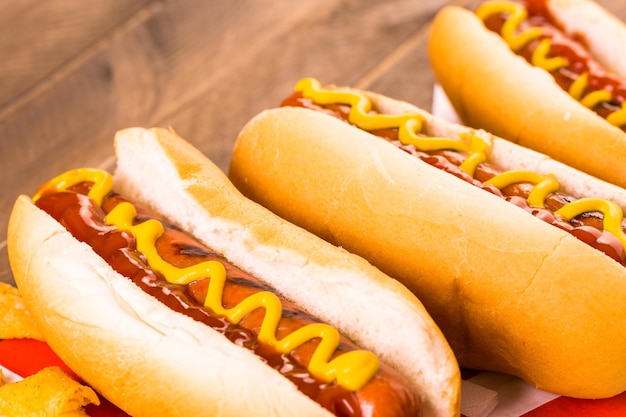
<point x="492" y="88"/>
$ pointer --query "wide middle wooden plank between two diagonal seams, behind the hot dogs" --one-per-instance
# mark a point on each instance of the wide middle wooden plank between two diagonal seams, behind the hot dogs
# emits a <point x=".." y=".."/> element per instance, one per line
<point x="202" y="67"/>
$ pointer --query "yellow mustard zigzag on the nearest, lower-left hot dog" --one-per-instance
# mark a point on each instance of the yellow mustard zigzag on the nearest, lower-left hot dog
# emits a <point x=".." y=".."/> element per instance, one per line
<point x="352" y="370"/>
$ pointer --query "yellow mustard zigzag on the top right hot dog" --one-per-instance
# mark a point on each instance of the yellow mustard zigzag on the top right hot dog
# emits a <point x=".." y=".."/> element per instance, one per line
<point x="517" y="40"/>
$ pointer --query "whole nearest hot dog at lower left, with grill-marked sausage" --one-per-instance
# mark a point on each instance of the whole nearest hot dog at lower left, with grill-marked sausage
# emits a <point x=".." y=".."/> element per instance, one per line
<point x="170" y="294"/>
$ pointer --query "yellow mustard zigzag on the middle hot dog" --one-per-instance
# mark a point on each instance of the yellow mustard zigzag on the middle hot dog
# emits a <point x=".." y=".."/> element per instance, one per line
<point x="411" y="124"/>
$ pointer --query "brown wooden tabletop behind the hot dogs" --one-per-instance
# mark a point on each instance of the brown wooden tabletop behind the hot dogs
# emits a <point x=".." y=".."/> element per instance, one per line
<point x="74" y="72"/>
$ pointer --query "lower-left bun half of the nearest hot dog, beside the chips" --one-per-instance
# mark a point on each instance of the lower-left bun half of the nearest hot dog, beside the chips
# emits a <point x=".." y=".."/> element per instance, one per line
<point x="124" y="344"/>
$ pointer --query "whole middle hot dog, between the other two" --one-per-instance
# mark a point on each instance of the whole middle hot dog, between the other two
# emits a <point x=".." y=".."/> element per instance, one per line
<point x="498" y="265"/>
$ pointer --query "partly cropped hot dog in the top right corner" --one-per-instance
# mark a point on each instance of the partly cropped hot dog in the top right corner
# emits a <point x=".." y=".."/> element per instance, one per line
<point x="546" y="74"/>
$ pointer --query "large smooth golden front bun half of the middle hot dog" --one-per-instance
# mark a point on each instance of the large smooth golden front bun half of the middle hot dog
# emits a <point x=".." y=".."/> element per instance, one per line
<point x="510" y="292"/>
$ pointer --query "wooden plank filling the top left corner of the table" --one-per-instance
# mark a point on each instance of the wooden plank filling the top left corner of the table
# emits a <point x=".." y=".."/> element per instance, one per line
<point x="37" y="38"/>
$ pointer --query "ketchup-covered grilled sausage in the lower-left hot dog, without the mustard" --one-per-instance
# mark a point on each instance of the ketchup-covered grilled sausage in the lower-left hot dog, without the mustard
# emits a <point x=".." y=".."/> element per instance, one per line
<point x="387" y="394"/>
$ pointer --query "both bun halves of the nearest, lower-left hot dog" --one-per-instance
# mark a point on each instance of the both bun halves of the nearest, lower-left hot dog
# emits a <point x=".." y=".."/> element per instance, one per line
<point x="151" y="361"/>
